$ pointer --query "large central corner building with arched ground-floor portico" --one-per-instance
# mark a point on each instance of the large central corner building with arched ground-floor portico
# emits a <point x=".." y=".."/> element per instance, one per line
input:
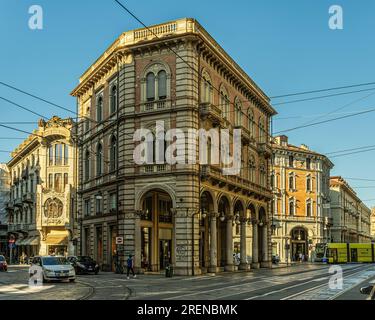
<point x="189" y="215"/>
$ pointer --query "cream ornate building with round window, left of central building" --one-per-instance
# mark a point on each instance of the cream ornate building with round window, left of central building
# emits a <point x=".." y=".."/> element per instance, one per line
<point x="42" y="203"/>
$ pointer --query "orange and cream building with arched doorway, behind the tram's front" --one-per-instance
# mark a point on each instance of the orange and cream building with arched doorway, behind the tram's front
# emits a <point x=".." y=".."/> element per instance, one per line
<point x="301" y="216"/>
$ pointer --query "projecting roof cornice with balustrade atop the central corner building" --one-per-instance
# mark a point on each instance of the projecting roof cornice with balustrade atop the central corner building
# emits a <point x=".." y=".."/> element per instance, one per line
<point x="169" y="31"/>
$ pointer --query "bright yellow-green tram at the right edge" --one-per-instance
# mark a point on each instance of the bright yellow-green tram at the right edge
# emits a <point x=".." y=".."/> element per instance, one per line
<point x="347" y="252"/>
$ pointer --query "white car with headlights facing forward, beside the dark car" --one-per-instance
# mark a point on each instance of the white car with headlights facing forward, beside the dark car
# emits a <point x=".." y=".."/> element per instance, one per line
<point x="55" y="268"/>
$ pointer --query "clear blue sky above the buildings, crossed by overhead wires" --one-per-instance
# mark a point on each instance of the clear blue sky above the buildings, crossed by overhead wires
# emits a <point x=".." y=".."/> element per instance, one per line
<point x="285" y="46"/>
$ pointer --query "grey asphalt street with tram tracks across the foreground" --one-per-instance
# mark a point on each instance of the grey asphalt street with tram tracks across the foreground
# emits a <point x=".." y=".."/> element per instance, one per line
<point x="300" y="282"/>
